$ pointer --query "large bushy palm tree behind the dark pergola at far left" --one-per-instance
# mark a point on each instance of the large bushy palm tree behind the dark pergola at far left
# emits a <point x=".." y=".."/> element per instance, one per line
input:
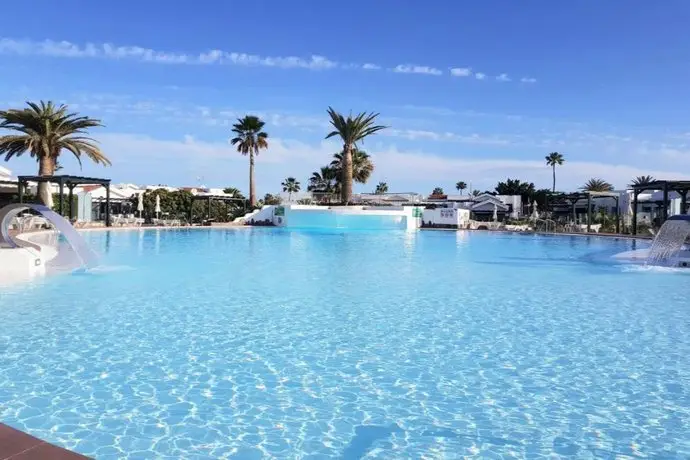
<point x="45" y="130"/>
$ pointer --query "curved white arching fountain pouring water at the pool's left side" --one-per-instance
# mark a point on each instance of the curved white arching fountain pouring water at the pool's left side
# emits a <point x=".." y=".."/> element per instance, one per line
<point x="85" y="257"/>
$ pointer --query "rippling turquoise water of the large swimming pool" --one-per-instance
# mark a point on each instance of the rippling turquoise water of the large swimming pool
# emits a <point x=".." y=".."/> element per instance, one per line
<point x="268" y="343"/>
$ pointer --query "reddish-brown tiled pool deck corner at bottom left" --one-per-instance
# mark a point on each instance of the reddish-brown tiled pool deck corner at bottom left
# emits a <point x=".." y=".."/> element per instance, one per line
<point x="17" y="445"/>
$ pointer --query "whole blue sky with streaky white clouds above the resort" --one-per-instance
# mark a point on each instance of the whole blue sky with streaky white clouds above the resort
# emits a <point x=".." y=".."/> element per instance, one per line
<point x="472" y="91"/>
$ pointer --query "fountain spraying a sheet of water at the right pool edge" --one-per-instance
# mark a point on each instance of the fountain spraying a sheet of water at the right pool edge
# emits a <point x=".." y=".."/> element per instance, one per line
<point x="667" y="247"/>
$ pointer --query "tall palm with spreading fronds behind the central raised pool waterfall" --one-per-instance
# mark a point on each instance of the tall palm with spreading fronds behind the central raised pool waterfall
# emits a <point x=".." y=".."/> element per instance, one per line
<point x="351" y="130"/>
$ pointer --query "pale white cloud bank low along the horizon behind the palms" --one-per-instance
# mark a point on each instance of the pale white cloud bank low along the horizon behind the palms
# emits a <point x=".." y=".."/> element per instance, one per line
<point x="177" y="162"/>
